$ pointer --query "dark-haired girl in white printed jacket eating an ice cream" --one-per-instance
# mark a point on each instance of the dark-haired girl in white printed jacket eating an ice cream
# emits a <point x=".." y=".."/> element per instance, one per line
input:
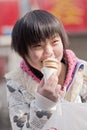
<point x="36" y="36"/>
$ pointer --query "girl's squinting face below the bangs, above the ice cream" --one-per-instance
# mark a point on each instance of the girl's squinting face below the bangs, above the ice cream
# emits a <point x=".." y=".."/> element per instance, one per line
<point x="52" y="47"/>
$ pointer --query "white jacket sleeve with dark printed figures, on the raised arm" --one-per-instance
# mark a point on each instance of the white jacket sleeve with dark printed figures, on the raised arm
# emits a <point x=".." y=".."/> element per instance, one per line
<point x="27" y="112"/>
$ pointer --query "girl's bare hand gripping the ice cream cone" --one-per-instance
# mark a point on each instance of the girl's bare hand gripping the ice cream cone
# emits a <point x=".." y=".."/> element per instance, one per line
<point x="51" y="89"/>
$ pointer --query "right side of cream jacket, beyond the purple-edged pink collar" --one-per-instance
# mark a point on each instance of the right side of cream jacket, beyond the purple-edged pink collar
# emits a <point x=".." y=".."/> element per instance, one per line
<point x="78" y="89"/>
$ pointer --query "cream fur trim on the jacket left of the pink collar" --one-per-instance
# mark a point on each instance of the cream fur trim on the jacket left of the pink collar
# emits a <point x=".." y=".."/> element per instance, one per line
<point x="23" y="79"/>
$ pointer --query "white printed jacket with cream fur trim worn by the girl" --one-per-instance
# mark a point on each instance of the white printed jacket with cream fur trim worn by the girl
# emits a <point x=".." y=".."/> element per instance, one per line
<point x="29" y="110"/>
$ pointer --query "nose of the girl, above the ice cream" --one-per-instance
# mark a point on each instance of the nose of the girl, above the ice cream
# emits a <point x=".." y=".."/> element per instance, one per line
<point x="48" y="51"/>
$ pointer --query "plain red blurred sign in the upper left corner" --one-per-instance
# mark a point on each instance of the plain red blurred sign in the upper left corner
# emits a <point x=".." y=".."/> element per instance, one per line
<point x="9" y="12"/>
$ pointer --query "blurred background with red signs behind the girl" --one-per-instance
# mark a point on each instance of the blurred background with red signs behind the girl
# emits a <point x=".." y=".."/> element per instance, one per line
<point x="73" y="14"/>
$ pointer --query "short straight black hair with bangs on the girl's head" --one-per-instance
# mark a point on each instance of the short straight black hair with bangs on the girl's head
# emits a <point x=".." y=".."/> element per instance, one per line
<point x="34" y="27"/>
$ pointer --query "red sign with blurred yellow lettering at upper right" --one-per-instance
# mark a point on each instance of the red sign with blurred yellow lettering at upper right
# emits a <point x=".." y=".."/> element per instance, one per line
<point x="73" y="13"/>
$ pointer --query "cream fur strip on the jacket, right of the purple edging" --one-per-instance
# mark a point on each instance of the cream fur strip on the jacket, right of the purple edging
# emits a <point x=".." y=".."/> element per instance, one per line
<point x="73" y="93"/>
